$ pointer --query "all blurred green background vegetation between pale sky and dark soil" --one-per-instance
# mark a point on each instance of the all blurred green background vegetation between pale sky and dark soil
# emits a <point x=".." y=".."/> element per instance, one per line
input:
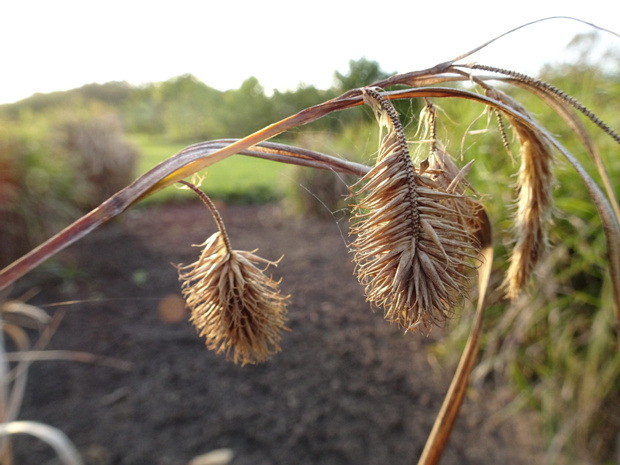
<point x="62" y="153"/>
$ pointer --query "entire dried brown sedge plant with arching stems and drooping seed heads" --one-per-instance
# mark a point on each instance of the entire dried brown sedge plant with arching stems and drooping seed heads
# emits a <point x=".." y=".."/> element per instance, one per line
<point x="418" y="233"/>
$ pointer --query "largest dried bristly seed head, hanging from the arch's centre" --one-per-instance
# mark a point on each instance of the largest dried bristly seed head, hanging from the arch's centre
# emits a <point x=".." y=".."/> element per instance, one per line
<point x="415" y="249"/>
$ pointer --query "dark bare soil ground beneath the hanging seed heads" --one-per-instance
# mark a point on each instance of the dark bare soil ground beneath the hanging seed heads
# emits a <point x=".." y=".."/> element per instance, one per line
<point x="347" y="388"/>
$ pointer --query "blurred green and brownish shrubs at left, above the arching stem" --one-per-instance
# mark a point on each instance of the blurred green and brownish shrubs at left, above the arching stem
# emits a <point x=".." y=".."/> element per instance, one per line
<point x="53" y="167"/>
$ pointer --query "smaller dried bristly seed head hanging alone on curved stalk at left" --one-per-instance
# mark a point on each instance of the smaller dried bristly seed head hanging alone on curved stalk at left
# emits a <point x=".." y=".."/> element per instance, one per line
<point x="233" y="303"/>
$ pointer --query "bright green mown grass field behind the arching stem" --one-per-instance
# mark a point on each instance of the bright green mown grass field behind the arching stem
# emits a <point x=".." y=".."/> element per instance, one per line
<point x="238" y="179"/>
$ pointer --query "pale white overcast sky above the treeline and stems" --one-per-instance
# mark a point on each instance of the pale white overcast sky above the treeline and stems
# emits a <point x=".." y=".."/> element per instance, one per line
<point x="61" y="44"/>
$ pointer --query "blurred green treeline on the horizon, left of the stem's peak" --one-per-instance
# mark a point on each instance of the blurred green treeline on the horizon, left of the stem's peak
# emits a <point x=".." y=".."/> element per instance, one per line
<point x="186" y="109"/>
